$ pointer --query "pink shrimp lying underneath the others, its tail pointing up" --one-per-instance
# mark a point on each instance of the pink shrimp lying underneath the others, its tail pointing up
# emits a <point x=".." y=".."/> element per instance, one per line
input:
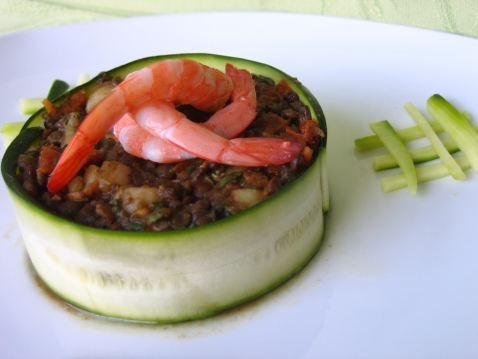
<point x="228" y="122"/>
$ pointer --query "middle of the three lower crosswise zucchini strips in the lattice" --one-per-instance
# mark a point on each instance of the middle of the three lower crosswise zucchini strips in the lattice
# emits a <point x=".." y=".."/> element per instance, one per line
<point x="419" y="155"/>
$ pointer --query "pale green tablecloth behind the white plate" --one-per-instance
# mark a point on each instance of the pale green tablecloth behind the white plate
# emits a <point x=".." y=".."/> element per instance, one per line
<point x="453" y="16"/>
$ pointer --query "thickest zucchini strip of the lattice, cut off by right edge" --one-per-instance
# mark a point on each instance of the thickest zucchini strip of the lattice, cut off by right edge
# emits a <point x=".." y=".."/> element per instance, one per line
<point x="456" y="126"/>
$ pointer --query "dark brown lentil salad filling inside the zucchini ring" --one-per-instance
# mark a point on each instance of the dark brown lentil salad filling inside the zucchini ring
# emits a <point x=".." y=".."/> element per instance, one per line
<point x="118" y="191"/>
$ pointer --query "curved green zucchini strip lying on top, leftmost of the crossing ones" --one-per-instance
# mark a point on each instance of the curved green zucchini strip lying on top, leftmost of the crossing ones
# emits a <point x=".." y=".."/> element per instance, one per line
<point x="395" y="146"/>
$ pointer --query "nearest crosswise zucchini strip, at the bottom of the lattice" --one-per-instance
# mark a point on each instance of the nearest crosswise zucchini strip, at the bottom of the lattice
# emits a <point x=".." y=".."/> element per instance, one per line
<point x="424" y="174"/>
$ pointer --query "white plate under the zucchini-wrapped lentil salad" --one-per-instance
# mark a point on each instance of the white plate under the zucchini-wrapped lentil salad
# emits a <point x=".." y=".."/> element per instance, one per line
<point x="397" y="274"/>
